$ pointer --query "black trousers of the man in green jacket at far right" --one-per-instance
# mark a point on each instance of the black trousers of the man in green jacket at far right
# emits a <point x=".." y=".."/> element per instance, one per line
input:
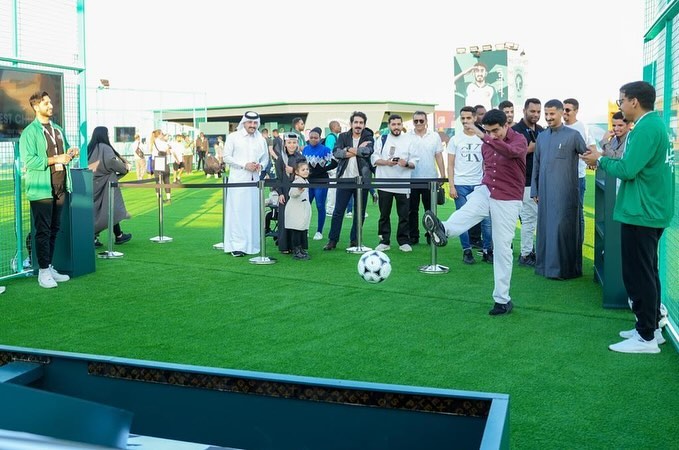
<point x="639" y="255"/>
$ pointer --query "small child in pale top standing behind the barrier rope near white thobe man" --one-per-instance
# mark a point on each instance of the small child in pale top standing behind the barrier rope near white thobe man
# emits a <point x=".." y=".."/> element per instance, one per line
<point x="298" y="213"/>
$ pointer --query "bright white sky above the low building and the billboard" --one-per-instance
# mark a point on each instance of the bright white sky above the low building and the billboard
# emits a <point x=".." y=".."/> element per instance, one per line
<point x="324" y="51"/>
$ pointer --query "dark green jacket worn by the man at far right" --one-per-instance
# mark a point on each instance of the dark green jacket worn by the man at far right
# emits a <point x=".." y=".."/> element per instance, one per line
<point x="646" y="195"/>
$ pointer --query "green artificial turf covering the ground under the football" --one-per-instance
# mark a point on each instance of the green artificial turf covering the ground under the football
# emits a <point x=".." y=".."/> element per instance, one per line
<point x="187" y="303"/>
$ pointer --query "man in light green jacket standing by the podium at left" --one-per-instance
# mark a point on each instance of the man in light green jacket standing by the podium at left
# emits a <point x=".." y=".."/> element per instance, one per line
<point x="42" y="147"/>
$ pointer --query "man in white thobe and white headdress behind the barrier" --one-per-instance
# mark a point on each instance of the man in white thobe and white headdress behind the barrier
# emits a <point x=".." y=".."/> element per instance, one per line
<point x="245" y="152"/>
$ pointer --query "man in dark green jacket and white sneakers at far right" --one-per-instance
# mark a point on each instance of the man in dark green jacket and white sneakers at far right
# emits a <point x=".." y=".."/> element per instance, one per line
<point x="644" y="207"/>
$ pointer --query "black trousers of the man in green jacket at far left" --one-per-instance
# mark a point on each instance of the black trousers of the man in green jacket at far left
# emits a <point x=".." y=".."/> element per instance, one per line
<point x="46" y="221"/>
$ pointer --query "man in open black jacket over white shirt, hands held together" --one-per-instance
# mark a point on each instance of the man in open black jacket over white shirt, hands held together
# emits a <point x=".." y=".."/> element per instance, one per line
<point x="352" y="151"/>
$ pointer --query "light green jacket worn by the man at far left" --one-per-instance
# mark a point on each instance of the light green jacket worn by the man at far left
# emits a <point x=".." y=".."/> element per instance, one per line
<point x="33" y="150"/>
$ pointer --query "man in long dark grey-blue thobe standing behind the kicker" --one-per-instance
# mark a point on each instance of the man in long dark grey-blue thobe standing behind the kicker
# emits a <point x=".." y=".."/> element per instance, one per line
<point x="556" y="189"/>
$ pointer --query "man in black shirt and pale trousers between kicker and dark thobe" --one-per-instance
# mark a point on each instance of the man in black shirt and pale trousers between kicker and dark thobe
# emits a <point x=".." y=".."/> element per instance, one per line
<point x="528" y="126"/>
